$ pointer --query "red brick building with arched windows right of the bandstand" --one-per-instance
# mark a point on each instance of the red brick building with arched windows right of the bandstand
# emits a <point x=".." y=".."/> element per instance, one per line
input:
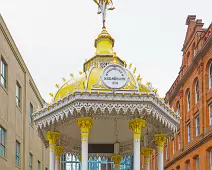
<point x="191" y="96"/>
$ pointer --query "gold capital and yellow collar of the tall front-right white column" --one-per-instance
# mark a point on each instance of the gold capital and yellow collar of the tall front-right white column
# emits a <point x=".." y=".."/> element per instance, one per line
<point x="136" y="126"/>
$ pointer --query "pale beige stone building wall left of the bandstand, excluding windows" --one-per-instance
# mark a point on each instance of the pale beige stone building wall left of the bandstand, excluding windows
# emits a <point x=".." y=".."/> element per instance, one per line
<point x="16" y="121"/>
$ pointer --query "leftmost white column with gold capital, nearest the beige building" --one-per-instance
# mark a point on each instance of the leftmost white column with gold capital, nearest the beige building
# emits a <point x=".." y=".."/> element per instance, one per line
<point x="52" y="137"/>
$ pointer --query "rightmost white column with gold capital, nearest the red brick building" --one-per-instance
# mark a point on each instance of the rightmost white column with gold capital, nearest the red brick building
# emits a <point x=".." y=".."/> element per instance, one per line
<point x="160" y="140"/>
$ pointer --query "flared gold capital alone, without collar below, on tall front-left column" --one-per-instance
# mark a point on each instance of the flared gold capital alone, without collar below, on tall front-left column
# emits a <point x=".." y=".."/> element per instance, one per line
<point x="85" y="124"/>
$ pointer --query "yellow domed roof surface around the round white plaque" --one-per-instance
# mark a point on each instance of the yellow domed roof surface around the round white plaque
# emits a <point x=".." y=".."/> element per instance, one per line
<point x="91" y="81"/>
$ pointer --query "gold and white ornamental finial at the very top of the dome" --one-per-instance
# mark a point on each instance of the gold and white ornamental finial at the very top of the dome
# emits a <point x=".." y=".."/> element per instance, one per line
<point x="103" y="7"/>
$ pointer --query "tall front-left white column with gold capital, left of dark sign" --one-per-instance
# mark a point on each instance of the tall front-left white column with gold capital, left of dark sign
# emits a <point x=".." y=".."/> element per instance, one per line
<point x="85" y="124"/>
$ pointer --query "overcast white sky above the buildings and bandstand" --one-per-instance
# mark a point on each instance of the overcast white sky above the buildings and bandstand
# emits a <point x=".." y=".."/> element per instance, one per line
<point x="55" y="37"/>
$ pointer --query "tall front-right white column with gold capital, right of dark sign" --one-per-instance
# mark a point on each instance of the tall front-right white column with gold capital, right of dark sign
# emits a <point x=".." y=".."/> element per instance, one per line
<point x="136" y="126"/>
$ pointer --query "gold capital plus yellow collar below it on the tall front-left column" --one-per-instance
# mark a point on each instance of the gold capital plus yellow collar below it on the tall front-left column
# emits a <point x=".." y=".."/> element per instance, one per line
<point x="85" y="125"/>
